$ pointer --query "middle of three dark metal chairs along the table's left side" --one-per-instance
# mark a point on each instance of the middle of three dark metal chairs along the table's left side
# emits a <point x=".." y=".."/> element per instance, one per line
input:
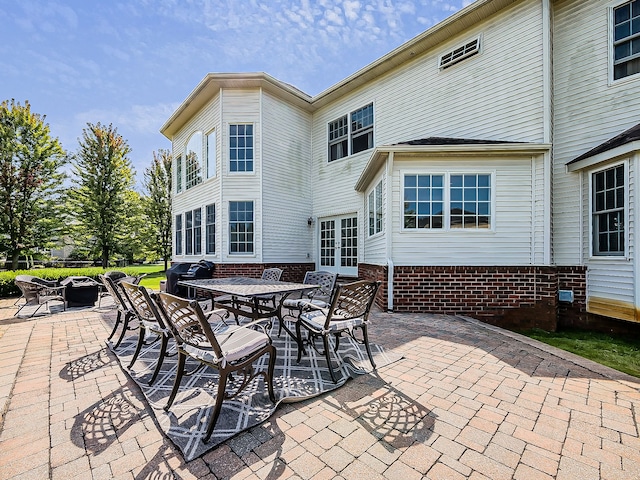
<point x="150" y="321"/>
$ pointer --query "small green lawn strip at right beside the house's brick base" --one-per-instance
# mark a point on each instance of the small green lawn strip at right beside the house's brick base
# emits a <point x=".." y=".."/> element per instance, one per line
<point x="615" y="351"/>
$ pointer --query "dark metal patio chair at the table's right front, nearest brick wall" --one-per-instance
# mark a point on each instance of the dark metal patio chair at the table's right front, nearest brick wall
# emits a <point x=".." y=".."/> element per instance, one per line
<point x="349" y="311"/>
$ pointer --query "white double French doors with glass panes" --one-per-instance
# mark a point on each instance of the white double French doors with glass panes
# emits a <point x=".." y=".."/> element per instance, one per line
<point x="339" y="244"/>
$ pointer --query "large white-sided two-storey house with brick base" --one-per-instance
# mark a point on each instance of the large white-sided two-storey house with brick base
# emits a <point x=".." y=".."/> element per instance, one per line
<point x="455" y="169"/>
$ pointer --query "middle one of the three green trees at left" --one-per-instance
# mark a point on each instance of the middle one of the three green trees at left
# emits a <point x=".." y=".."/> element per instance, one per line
<point x="103" y="178"/>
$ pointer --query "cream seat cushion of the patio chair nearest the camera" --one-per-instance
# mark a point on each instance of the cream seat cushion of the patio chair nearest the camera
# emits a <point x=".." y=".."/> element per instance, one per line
<point x="235" y="342"/>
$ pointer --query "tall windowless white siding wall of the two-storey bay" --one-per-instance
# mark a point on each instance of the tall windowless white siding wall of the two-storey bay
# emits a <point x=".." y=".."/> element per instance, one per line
<point x="287" y="182"/>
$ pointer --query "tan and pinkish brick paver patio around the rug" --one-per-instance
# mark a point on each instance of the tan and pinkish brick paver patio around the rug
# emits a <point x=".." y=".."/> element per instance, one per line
<point x="467" y="401"/>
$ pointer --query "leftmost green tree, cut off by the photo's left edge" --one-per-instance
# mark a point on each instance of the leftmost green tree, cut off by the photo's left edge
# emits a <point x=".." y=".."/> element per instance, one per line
<point x="30" y="180"/>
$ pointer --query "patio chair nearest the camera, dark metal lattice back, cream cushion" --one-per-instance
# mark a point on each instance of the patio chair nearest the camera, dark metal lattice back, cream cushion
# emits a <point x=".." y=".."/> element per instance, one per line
<point x="230" y="349"/>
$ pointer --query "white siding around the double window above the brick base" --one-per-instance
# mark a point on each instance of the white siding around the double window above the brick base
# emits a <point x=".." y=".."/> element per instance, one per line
<point x="509" y="243"/>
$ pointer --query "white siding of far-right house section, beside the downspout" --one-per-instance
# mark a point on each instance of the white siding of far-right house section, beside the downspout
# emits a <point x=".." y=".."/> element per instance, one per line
<point x="588" y="111"/>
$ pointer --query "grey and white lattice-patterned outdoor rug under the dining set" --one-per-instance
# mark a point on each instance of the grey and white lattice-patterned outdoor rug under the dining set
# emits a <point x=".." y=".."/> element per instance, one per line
<point x="186" y="421"/>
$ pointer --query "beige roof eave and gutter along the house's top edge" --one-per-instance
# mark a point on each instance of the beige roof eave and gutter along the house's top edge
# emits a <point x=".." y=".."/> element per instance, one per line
<point x="434" y="36"/>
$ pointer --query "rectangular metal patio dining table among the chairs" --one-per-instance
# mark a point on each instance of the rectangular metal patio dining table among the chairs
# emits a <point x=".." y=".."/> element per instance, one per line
<point x="246" y="296"/>
